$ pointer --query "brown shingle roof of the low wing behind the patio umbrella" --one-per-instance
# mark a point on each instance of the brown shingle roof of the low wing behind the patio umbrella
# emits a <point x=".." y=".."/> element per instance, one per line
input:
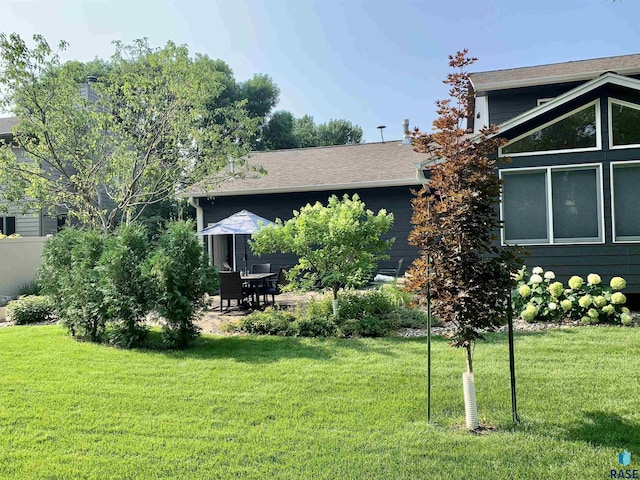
<point x="323" y="168"/>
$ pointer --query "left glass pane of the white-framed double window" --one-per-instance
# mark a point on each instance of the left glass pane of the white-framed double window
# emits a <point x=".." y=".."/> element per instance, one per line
<point x="524" y="206"/>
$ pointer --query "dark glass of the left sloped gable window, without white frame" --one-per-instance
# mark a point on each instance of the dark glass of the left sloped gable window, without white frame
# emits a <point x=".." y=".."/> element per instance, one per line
<point x="576" y="131"/>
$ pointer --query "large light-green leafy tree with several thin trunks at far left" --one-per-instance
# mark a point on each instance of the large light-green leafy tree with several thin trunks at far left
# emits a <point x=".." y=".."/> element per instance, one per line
<point x="149" y="128"/>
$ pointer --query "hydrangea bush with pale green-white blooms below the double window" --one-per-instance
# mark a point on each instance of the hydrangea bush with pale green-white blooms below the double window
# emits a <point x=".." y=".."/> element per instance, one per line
<point x="539" y="297"/>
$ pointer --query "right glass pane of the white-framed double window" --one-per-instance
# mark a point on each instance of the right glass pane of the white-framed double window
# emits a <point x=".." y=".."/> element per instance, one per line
<point x="575" y="204"/>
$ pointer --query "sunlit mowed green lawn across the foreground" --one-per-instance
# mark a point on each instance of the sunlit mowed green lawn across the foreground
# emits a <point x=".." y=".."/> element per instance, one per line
<point x="270" y="408"/>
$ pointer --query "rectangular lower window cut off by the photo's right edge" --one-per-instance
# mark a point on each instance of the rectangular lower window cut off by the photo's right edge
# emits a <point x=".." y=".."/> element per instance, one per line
<point x="626" y="201"/>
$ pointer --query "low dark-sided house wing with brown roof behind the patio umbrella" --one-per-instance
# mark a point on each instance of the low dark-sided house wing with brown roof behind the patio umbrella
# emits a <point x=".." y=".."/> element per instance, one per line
<point x="382" y="174"/>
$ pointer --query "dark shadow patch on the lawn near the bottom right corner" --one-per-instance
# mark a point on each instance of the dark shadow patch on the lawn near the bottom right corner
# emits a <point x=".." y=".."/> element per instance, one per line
<point x="606" y="429"/>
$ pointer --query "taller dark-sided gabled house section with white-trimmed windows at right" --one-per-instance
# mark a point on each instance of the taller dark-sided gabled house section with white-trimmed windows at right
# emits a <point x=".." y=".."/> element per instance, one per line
<point x="571" y="192"/>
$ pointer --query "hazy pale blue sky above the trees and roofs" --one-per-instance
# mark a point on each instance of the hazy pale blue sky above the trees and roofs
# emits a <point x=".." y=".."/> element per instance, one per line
<point x="372" y="62"/>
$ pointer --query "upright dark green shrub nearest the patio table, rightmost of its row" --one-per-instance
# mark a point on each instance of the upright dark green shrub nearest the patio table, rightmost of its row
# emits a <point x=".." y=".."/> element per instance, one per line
<point x="182" y="275"/>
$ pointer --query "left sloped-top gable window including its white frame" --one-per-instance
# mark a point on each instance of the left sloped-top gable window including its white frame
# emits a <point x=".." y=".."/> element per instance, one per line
<point x="576" y="131"/>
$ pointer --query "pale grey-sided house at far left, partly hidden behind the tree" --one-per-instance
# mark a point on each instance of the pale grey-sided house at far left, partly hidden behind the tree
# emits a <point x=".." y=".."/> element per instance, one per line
<point x="34" y="223"/>
